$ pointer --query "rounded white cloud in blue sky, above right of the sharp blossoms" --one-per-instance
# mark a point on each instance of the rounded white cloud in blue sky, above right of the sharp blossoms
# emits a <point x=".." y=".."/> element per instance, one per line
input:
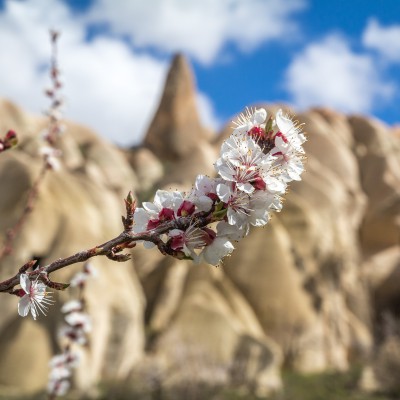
<point x="328" y="73"/>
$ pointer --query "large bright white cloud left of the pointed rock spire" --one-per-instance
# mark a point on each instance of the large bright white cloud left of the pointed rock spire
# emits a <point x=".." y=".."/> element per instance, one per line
<point x="108" y="88"/>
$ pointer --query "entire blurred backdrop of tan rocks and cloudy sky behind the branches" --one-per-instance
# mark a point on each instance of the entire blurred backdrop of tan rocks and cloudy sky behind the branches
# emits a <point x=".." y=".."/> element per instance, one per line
<point x="307" y="308"/>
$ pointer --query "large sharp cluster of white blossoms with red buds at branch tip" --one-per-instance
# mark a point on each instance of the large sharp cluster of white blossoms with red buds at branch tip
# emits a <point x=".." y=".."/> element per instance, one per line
<point x="256" y="164"/>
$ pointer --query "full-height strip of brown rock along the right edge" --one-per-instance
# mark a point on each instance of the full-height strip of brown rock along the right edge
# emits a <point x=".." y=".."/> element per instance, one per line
<point x="377" y="148"/>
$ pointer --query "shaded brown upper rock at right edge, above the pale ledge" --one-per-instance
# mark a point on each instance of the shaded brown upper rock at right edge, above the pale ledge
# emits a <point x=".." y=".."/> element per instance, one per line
<point x="378" y="153"/>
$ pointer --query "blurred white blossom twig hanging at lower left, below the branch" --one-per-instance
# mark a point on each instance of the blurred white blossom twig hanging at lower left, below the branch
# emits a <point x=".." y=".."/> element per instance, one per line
<point x="73" y="334"/>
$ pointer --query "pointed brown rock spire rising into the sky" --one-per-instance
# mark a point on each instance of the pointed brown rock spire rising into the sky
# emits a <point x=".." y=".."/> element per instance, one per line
<point x="176" y="135"/>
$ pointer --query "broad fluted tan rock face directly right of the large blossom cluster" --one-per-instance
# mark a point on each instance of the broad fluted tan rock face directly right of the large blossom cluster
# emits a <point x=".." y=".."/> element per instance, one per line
<point x="302" y="273"/>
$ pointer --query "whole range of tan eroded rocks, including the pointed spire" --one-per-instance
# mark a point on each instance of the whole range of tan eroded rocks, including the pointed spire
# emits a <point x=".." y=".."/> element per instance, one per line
<point x="309" y="291"/>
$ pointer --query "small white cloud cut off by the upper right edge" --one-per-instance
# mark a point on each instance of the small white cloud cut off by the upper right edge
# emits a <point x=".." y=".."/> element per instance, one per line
<point x="385" y="40"/>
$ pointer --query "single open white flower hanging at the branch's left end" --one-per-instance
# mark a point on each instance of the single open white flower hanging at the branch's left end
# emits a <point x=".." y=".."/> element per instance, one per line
<point x="35" y="298"/>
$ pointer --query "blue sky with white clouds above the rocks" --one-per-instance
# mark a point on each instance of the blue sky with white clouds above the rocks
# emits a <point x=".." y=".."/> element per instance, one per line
<point x="115" y="54"/>
